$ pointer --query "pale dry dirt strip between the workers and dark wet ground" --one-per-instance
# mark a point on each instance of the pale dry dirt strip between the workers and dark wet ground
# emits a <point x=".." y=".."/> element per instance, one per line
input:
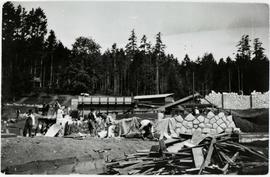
<point x="21" y="150"/>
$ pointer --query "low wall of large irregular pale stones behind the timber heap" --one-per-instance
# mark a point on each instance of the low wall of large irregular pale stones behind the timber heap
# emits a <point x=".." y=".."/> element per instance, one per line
<point x="210" y="123"/>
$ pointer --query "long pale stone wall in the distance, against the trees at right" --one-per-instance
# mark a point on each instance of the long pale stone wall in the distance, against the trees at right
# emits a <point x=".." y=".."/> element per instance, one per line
<point x="235" y="101"/>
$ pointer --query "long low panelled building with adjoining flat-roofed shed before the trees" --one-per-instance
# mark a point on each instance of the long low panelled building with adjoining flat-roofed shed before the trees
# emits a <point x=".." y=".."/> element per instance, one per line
<point x="110" y="104"/>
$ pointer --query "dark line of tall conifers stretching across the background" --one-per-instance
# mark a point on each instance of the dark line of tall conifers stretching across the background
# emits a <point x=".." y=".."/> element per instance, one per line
<point x="34" y="60"/>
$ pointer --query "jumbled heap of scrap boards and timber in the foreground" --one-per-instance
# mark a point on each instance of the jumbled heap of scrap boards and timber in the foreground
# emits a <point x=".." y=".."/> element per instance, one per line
<point x="219" y="154"/>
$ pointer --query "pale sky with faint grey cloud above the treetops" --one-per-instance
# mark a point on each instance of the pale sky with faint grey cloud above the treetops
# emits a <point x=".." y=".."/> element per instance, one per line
<point x="192" y="28"/>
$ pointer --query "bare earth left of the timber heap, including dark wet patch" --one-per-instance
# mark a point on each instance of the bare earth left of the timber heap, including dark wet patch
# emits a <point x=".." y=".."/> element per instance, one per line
<point x="47" y="155"/>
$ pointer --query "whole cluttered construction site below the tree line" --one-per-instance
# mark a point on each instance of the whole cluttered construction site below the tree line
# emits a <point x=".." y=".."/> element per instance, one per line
<point x="221" y="133"/>
